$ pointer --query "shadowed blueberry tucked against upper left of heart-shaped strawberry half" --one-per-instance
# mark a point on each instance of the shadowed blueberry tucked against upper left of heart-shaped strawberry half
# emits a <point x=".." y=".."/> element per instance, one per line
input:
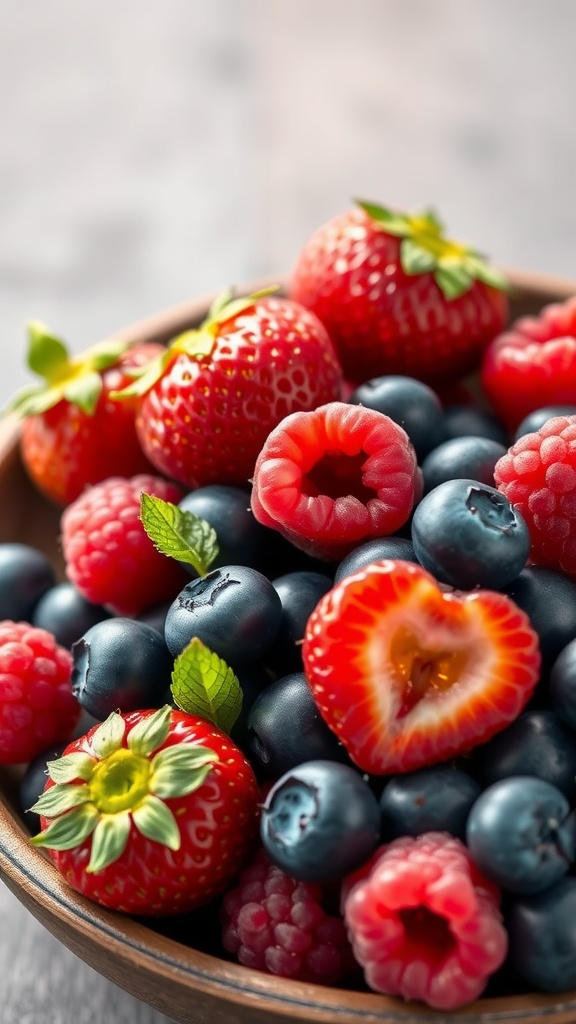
<point x="300" y="593"/>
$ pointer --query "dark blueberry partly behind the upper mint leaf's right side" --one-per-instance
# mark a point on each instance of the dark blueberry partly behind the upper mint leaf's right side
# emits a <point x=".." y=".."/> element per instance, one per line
<point x="241" y="538"/>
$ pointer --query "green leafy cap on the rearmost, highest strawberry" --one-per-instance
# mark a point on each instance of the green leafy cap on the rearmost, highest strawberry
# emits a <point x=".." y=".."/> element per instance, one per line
<point x="425" y="249"/>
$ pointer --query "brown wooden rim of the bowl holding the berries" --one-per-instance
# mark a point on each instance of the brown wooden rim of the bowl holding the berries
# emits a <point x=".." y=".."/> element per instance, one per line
<point x="85" y="926"/>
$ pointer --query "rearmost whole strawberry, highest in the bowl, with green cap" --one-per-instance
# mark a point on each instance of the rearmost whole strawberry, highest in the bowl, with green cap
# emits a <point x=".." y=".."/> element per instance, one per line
<point x="397" y="297"/>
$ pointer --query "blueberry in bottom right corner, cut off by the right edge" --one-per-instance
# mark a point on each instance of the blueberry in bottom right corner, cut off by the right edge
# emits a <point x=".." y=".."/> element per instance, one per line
<point x="543" y="937"/>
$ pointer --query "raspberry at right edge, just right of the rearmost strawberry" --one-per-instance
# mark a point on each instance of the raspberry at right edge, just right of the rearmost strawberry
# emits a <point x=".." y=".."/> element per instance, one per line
<point x="532" y="364"/>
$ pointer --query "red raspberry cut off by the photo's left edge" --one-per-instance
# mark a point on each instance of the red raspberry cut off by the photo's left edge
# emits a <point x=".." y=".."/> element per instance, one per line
<point x="38" y="709"/>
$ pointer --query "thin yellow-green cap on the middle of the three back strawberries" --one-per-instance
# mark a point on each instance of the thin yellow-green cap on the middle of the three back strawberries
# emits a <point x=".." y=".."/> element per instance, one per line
<point x="196" y="344"/>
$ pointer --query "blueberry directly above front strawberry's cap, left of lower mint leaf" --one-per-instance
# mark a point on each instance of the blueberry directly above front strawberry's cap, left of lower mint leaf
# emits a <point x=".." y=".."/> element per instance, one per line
<point x="120" y="664"/>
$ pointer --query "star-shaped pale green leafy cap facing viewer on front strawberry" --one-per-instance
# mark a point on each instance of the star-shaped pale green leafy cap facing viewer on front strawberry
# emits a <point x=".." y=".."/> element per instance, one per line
<point x="121" y="783"/>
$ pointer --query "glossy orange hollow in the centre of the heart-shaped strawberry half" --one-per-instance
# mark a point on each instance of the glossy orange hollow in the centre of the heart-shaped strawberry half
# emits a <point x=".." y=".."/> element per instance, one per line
<point x="421" y="671"/>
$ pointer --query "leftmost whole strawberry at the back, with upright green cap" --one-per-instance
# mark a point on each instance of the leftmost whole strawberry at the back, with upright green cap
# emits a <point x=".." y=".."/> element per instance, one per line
<point x="73" y="434"/>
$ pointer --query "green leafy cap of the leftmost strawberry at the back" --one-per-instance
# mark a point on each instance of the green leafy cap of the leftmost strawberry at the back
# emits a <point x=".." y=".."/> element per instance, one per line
<point x="74" y="379"/>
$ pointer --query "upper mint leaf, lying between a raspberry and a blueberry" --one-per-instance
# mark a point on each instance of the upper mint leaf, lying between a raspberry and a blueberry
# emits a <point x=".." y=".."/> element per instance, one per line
<point x="179" y="534"/>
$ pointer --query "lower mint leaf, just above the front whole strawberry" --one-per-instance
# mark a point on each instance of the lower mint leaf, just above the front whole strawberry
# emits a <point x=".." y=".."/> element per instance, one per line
<point x="203" y="685"/>
